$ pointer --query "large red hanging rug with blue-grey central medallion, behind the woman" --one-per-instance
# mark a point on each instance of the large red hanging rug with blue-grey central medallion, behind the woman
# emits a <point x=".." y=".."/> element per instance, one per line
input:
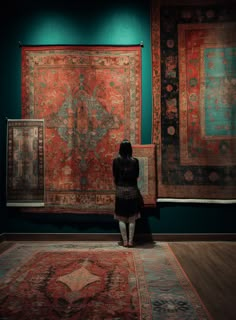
<point x="90" y="98"/>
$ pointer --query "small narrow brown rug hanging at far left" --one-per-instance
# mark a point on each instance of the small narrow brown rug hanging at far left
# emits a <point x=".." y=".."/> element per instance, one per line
<point x="25" y="163"/>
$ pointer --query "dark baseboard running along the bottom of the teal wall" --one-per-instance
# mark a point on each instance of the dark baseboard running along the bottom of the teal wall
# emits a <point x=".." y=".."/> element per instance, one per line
<point x="116" y="237"/>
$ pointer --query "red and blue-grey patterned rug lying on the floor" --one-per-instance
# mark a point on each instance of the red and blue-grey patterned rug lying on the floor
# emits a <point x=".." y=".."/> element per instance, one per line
<point x="87" y="280"/>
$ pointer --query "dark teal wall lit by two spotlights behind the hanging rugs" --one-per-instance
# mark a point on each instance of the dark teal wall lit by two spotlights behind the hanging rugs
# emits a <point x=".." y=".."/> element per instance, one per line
<point x="104" y="22"/>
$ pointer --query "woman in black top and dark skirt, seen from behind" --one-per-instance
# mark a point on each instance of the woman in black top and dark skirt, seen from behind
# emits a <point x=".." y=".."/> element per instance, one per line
<point x="127" y="200"/>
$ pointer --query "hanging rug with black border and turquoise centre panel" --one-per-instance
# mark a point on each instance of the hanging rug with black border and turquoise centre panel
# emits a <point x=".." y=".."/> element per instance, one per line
<point x="194" y="88"/>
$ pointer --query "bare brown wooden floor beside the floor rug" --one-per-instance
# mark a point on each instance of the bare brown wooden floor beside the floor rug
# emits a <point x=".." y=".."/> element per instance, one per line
<point x="211" y="268"/>
